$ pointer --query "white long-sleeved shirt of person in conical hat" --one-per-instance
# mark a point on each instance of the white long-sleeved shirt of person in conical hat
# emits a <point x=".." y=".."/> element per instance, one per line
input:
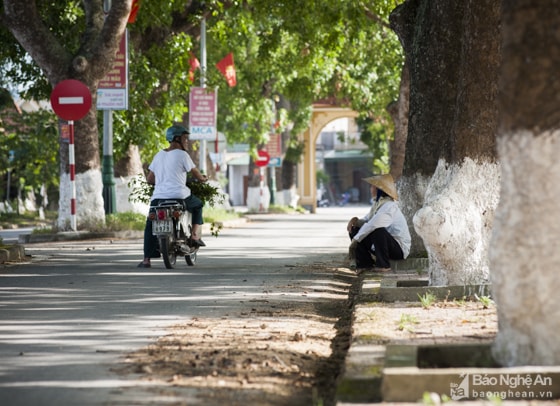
<point x="389" y="216"/>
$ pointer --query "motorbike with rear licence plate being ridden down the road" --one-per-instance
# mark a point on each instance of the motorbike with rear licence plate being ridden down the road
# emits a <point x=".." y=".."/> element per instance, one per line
<point x="172" y="224"/>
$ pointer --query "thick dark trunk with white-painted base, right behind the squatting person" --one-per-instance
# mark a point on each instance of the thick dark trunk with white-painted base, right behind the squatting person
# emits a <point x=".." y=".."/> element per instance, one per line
<point x="452" y="50"/>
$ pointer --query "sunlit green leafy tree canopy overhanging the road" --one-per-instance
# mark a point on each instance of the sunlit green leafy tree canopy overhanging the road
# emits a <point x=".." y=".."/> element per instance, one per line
<point x="288" y="54"/>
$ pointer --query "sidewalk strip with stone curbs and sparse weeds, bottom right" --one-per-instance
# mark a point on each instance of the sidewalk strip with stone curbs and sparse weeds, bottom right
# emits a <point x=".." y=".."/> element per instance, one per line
<point x="402" y="352"/>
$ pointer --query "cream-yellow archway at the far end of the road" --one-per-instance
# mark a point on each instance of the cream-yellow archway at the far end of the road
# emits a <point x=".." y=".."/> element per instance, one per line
<point x="322" y="115"/>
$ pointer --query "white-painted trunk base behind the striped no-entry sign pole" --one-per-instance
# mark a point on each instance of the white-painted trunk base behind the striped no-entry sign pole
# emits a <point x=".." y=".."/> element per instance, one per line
<point x="89" y="200"/>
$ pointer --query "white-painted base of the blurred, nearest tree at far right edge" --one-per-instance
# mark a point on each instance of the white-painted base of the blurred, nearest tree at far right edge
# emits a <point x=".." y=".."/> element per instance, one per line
<point x="524" y="255"/>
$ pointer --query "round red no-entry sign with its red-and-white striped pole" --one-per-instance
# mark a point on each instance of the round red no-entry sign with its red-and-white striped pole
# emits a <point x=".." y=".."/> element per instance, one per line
<point x="71" y="100"/>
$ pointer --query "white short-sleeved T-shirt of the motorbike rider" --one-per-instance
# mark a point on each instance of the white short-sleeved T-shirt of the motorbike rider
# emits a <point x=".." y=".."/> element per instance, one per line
<point x="170" y="169"/>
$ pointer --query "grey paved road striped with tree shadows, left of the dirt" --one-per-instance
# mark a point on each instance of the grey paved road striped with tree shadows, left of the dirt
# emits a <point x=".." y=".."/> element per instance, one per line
<point x="72" y="313"/>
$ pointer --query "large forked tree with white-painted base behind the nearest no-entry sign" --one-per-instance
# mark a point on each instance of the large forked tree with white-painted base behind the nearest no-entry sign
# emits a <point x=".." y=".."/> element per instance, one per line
<point x="85" y="51"/>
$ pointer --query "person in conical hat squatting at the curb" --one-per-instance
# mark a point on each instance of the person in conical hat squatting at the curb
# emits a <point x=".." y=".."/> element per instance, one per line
<point x="383" y="232"/>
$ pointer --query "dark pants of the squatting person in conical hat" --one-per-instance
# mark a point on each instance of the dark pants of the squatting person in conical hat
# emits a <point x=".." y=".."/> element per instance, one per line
<point x="386" y="248"/>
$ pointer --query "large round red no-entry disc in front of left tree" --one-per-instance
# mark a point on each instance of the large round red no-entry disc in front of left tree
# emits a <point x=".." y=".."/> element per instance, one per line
<point x="71" y="99"/>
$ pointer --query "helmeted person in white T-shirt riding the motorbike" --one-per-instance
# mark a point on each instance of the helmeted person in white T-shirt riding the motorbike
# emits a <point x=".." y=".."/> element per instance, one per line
<point x="168" y="172"/>
